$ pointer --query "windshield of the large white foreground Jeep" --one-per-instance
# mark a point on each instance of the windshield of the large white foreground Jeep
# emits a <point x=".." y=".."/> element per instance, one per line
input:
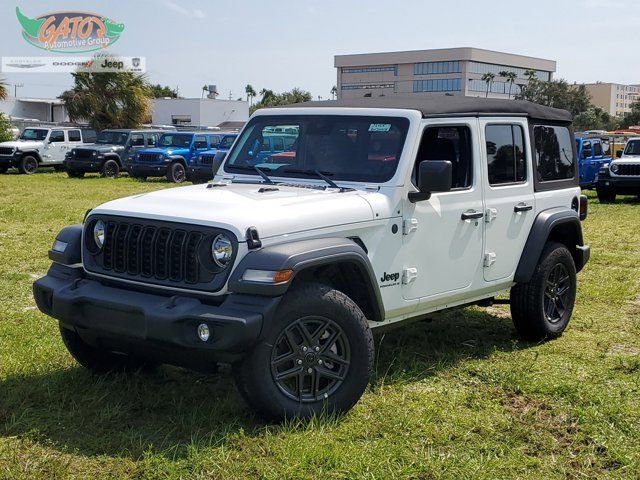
<point x="350" y="148"/>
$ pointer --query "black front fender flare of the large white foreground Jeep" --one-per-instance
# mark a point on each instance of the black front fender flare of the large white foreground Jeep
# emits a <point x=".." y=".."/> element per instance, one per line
<point x="302" y="256"/>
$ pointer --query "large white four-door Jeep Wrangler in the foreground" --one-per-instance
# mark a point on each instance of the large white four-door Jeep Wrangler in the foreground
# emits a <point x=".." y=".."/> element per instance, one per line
<point x="383" y="211"/>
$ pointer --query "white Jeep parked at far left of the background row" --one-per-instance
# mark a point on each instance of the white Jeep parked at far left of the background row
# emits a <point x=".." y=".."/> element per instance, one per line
<point x="42" y="146"/>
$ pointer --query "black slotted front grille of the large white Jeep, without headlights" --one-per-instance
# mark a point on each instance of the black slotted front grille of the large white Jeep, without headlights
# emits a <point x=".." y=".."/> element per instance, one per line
<point x="161" y="253"/>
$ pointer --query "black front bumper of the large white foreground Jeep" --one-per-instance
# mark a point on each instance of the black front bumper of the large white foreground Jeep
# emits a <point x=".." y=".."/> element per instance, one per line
<point x="157" y="326"/>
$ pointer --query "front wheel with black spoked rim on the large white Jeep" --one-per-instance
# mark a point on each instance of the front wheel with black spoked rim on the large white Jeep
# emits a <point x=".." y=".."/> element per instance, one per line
<point x="315" y="358"/>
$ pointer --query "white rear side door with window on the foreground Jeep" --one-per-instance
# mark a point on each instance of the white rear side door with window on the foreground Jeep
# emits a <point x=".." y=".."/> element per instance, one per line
<point x="509" y="200"/>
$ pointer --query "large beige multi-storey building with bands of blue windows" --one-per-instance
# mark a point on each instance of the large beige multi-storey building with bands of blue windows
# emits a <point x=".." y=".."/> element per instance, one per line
<point x="451" y="71"/>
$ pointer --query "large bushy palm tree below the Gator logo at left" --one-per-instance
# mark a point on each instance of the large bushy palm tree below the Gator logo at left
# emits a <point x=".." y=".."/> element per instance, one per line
<point x="109" y="99"/>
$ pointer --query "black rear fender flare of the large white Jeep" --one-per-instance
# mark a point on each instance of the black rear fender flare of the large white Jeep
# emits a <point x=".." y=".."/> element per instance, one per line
<point x="543" y="228"/>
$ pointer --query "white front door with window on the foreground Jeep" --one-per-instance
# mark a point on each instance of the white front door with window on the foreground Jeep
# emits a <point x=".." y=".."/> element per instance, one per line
<point x="442" y="236"/>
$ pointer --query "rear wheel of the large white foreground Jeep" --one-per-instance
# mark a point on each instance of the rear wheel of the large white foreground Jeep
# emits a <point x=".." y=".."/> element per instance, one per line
<point x="541" y="308"/>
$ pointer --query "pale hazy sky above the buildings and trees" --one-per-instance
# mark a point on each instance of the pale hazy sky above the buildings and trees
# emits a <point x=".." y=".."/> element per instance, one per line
<point x="280" y="45"/>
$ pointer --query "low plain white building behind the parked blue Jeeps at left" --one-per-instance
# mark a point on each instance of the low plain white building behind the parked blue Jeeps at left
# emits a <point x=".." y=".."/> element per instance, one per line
<point x="202" y="111"/>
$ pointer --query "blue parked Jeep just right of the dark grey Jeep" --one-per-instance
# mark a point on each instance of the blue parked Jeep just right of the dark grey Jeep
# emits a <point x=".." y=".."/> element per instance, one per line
<point x="172" y="155"/>
